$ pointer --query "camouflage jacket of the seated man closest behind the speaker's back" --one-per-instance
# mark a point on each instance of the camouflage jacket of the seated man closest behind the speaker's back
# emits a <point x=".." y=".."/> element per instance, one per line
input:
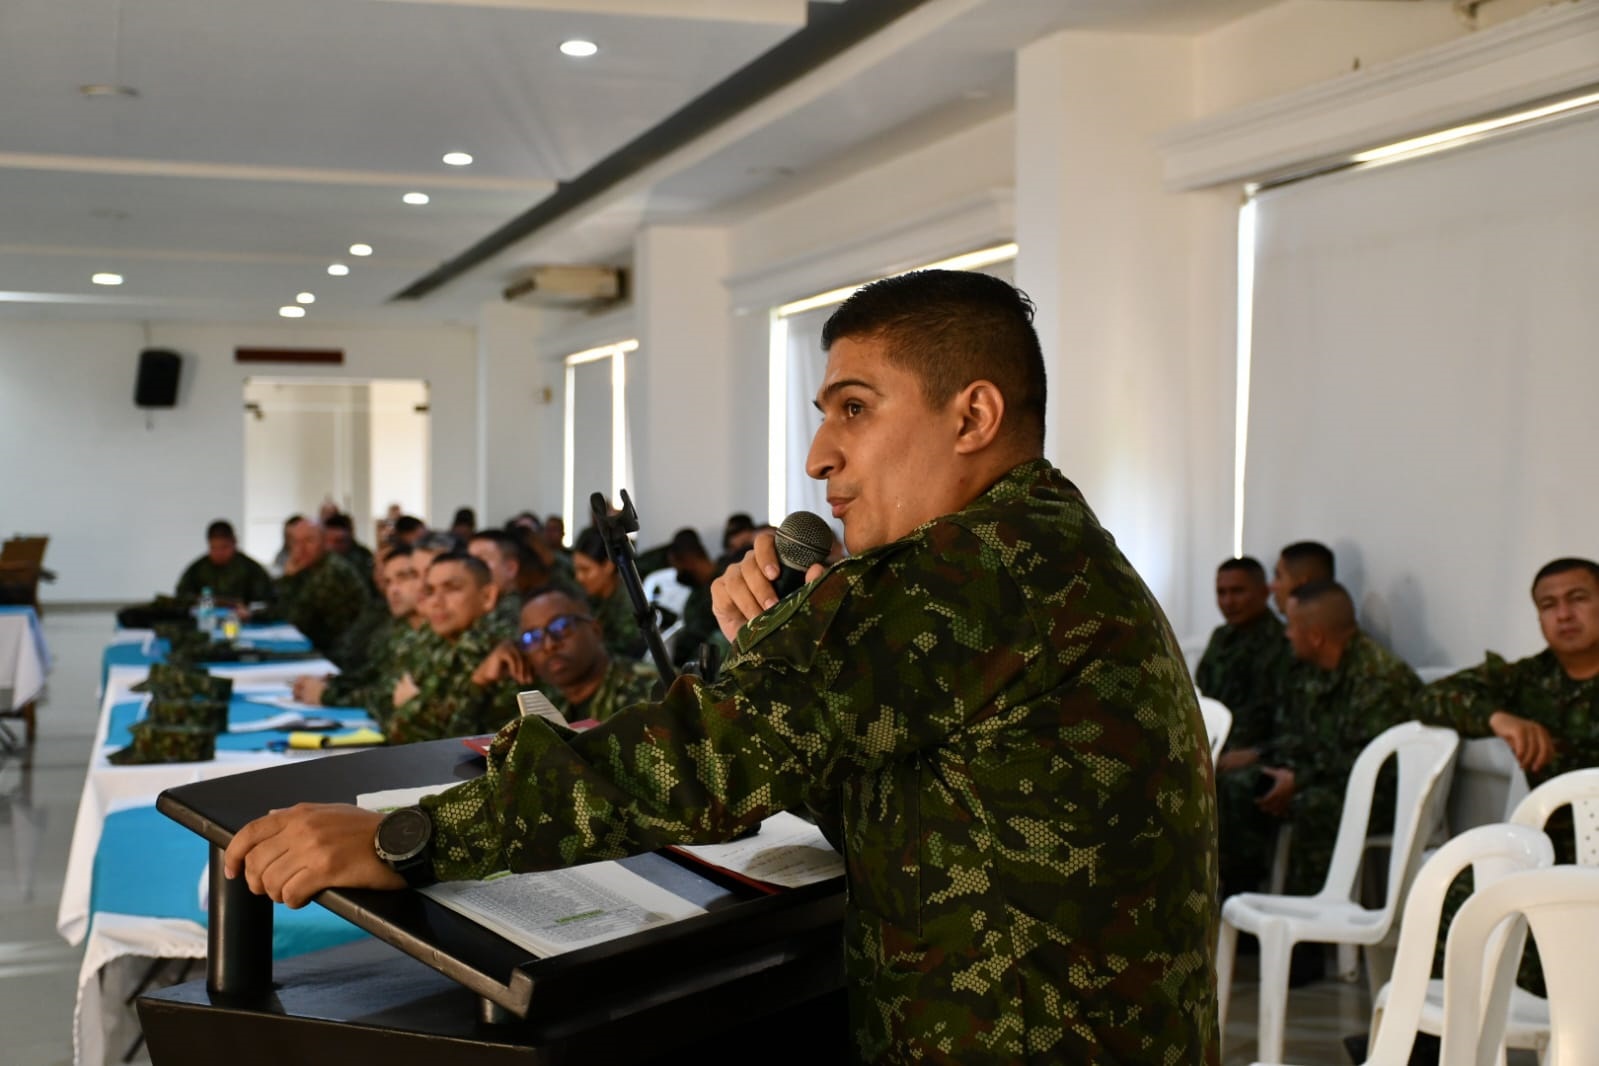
<point x="1246" y="667"/>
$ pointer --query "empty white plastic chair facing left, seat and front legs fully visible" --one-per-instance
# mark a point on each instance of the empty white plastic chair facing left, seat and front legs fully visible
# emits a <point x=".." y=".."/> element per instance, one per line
<point x="1334" y="915"/>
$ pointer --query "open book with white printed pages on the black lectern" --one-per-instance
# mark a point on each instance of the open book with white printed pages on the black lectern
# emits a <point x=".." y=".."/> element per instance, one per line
<point x="564" y="910"/>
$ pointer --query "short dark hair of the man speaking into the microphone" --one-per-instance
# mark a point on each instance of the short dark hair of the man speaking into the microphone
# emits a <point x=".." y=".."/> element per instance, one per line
<point x="952" y="328"/>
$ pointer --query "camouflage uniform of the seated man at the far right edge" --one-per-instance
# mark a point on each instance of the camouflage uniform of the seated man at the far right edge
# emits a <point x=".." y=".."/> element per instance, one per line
<point x="1536" y="688"/>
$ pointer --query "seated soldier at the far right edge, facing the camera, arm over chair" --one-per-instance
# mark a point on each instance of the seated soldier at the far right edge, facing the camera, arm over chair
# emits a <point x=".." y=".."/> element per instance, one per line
<point x="1545" y="707"/>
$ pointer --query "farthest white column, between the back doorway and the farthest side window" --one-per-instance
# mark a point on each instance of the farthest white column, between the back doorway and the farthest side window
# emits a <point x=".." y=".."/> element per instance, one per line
<point x="519" y="420"/>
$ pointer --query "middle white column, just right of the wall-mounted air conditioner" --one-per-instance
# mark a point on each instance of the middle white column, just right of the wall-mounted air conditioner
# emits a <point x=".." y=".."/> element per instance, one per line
<point x="680" y="396"/>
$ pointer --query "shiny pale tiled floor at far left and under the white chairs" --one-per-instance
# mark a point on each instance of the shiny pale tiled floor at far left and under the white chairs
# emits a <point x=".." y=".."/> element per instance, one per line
<point x="39" y="801"/>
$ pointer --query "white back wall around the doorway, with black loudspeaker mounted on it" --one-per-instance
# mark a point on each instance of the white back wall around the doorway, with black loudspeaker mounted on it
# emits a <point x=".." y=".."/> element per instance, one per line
<point x="127" y="506"/>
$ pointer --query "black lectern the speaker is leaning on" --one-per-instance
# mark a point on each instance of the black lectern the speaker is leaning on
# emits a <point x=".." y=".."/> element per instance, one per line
<point x="757" y="977"/>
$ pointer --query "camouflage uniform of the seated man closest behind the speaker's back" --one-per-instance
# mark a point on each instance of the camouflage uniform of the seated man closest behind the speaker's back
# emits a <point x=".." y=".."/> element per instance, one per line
<point x="1246" y="667"/>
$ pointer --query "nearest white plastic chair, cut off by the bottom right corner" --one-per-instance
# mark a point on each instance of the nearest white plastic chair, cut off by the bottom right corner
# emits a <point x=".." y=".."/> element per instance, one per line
<point x="1561" y="905"/>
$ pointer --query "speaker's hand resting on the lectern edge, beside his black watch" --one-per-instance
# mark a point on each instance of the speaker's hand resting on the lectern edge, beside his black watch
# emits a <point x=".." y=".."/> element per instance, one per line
<point x="297" y="853"/>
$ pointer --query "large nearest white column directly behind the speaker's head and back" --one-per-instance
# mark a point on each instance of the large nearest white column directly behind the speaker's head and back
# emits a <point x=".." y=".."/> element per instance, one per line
<point x="1141" y="383"/>
